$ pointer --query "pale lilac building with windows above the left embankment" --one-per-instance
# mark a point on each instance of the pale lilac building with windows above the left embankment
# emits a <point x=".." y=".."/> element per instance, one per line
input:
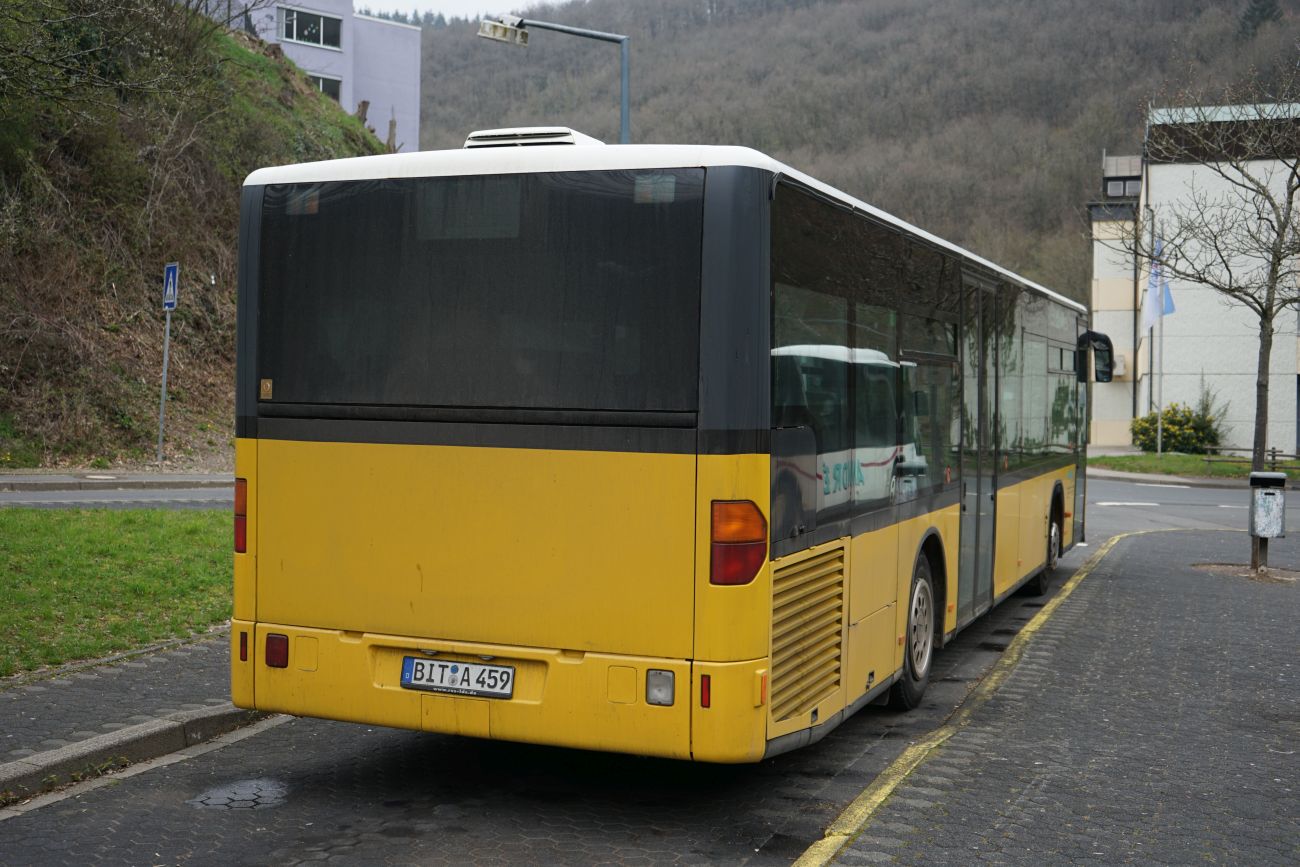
<point x="353" y="59"/>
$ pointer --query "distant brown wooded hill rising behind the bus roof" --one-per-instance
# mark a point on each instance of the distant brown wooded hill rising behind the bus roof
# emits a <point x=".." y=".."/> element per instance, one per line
<point x="981" y="120"/>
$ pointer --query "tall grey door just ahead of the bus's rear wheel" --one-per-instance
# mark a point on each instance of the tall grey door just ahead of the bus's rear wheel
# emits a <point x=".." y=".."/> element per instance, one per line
<point x="980" y="495"/>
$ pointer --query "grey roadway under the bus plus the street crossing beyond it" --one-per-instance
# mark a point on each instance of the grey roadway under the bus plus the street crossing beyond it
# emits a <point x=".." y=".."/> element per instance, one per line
<point x="297" y="791"/>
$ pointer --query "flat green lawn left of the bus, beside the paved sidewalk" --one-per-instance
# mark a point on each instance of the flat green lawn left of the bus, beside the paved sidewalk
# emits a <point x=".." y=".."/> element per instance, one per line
<point x="84" y="584"/>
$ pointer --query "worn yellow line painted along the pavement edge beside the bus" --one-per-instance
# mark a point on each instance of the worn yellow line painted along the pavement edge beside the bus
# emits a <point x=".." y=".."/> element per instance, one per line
<point x="855" y="818"/>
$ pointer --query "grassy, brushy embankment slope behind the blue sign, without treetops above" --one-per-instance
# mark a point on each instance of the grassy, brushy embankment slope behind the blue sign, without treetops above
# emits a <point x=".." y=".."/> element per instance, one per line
<point x="88" y="219"/>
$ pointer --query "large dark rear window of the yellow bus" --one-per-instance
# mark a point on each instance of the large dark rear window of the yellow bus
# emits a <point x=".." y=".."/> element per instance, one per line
<point x="558" y="292"/>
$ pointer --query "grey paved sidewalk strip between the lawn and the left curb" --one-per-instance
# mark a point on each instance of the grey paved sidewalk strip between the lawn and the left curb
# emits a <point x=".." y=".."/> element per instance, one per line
<point x="85" y="701"/>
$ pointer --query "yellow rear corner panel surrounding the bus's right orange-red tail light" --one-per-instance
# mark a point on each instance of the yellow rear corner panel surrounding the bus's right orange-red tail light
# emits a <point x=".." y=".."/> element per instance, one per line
<point x="731" y="622"/>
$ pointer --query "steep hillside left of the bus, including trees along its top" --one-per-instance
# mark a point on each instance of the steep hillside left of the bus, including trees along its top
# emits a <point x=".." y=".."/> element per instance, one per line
<point x="127" y="128"/>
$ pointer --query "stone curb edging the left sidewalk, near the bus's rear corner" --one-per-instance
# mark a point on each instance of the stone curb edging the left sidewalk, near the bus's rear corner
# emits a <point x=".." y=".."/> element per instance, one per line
<point x="45" y="771"/>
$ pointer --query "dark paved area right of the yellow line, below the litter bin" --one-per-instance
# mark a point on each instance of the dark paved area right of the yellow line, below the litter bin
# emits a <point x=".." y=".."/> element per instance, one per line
<point x="1155" y="719"/>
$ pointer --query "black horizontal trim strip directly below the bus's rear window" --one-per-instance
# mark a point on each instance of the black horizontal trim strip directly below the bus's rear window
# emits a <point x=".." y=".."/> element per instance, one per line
<point x="677" y="441"/>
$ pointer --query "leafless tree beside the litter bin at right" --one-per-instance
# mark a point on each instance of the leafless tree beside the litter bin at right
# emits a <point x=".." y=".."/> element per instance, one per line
<point x="1237" y="227"/>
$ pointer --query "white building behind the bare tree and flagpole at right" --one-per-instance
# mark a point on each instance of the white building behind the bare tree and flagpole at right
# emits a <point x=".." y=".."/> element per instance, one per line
<point x="1210" y="344"/>
